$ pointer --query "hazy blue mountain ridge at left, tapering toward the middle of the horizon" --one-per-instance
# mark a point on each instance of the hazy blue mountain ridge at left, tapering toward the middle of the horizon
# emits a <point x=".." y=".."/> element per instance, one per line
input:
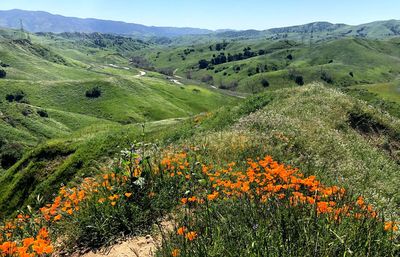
<point x="38" y="21"/>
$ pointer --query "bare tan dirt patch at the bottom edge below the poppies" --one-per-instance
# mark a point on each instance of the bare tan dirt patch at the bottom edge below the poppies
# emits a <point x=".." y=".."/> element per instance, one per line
<point x="140" y="246"/>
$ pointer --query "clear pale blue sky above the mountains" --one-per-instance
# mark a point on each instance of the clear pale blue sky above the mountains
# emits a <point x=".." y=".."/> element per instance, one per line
<point x="218" y="14"/>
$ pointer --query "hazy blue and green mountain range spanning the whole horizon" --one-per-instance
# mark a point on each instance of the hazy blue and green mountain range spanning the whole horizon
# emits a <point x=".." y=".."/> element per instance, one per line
<point x="38" y="21"/>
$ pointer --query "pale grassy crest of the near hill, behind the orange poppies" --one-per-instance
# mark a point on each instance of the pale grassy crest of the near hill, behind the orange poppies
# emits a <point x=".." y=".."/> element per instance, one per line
<point x="320" y="130"/>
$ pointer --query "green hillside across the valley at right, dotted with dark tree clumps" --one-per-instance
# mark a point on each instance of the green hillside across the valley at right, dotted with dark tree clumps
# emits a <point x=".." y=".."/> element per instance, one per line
<point x="342" y="62"/>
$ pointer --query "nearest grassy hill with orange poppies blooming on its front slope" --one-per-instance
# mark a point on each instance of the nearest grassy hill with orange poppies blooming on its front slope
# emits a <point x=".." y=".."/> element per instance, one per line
<point x="219" y="169"/>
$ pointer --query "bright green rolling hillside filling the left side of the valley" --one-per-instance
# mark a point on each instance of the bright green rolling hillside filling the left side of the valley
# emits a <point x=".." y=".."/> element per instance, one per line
<point x="57" y="129"/>
